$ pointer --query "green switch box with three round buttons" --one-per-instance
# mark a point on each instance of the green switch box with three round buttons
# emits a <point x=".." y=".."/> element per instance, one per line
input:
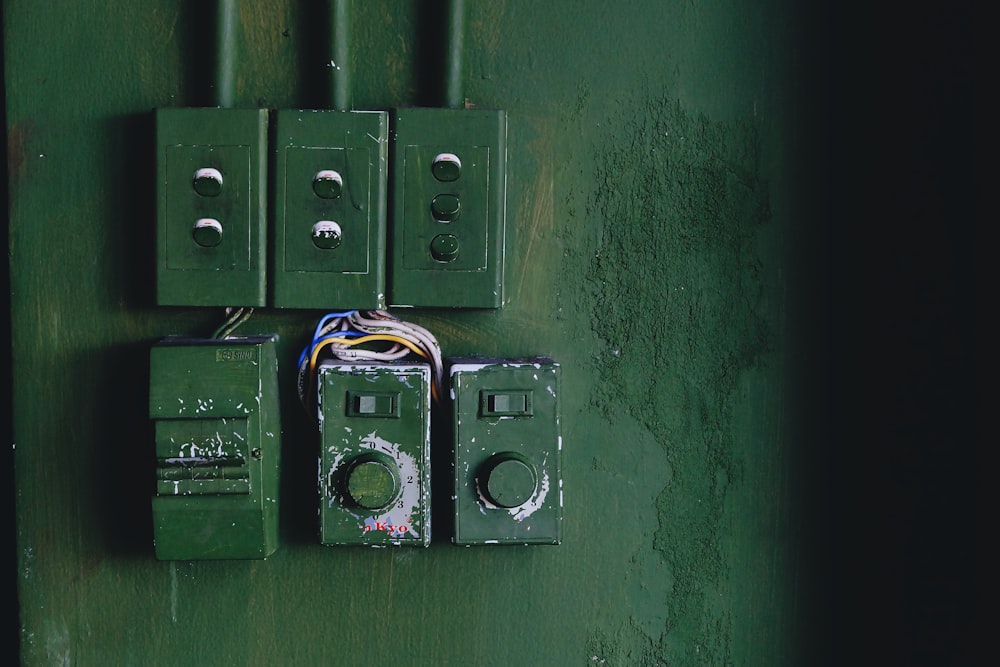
<point x="448" y="211"/>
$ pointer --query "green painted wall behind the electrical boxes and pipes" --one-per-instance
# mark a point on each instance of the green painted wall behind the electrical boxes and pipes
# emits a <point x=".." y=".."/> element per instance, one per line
<point x="651" y="197"/>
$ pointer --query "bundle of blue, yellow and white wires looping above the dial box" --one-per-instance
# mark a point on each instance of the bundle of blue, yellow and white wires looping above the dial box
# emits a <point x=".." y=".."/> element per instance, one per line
<point x="367" y="335"/>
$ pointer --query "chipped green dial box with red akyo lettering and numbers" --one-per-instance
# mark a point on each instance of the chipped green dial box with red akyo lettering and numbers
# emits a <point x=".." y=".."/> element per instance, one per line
<point x="374" y="476"/>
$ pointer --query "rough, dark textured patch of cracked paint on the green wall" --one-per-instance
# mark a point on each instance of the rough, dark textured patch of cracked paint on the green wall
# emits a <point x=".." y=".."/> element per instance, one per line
<point x="678" y="301"/>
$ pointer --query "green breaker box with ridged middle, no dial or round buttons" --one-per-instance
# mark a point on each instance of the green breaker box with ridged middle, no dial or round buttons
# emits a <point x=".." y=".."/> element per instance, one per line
<point x="214" y="404"/>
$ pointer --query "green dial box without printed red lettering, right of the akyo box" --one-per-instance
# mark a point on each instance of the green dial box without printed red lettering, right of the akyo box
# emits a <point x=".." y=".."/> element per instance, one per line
<point x="507" y="449"/>
